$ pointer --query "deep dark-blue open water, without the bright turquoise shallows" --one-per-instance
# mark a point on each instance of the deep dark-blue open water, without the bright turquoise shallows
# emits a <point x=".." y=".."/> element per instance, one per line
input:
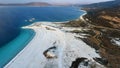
<point x="13" y="18"/>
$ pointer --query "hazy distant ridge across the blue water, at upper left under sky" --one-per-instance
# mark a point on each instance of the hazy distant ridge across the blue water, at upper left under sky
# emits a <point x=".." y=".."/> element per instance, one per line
<point x="27" y="4"/>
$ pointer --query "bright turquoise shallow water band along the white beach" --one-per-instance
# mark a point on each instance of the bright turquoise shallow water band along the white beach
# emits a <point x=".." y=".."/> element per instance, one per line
<point x="11" y="49"/>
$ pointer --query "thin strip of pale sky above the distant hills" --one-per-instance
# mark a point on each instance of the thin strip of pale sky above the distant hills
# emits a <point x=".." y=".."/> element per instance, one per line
<point x="52" y="1"/>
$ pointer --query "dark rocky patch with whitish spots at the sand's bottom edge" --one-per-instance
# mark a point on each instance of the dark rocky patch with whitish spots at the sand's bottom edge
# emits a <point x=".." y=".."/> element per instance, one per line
<point x="85" y="63"/>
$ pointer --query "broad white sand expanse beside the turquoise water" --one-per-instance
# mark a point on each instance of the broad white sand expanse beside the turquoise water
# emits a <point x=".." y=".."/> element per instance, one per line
<point x="69" y="48"/>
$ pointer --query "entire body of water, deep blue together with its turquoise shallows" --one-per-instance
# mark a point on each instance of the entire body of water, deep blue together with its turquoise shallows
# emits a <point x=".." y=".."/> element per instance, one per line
<point x="13" y="18"/>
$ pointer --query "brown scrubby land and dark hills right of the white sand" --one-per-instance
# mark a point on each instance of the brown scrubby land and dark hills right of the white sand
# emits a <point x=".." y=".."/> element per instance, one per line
<point x="101" y="26"/>
